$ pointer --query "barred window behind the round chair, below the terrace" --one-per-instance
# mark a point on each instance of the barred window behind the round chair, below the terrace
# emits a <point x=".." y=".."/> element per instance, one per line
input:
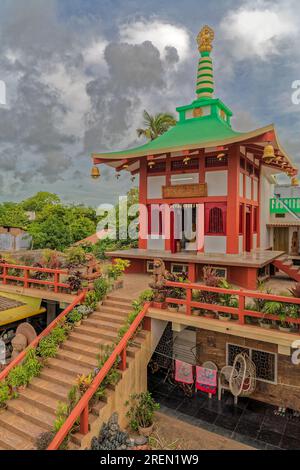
<point x="265" y="362"/>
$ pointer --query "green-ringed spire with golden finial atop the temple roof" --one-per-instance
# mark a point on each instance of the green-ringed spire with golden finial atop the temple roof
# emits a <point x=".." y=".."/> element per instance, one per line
<point x="205" y="78"/>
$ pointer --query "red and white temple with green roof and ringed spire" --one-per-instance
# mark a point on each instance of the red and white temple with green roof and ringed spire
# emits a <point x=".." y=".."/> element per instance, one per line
<point x="220" y="179"/>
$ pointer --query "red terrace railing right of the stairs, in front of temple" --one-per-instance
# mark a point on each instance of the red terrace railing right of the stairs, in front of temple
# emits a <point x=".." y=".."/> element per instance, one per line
<point x="240" y="311"/>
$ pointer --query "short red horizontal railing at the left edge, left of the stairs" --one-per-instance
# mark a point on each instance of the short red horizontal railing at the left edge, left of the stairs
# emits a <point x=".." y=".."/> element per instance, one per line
<point x="26" y="280"/>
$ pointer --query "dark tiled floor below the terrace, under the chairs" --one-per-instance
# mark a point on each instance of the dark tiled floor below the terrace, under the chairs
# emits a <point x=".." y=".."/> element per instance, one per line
<point x="251" y="422"/>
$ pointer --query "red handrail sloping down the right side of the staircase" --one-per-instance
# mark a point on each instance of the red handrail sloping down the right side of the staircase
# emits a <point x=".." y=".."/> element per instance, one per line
<point x="82" y="407"/>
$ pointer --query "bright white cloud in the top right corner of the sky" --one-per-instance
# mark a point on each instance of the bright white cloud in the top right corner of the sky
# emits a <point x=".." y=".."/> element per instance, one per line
<point x="258" y="32"/>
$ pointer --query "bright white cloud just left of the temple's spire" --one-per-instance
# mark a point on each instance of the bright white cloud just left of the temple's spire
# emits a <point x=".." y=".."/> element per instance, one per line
<point x="159" y="33"/>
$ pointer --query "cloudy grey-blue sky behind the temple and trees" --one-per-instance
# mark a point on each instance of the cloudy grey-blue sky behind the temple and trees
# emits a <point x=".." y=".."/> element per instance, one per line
<point x="80" y="72"/>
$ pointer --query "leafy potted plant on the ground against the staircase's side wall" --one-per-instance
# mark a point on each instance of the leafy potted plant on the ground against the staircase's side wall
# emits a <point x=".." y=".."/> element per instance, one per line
<point x="141" y="412"/>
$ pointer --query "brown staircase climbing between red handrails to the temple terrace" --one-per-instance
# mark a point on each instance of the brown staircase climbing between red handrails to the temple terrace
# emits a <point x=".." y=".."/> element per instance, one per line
<point x="33" y="412"/>
